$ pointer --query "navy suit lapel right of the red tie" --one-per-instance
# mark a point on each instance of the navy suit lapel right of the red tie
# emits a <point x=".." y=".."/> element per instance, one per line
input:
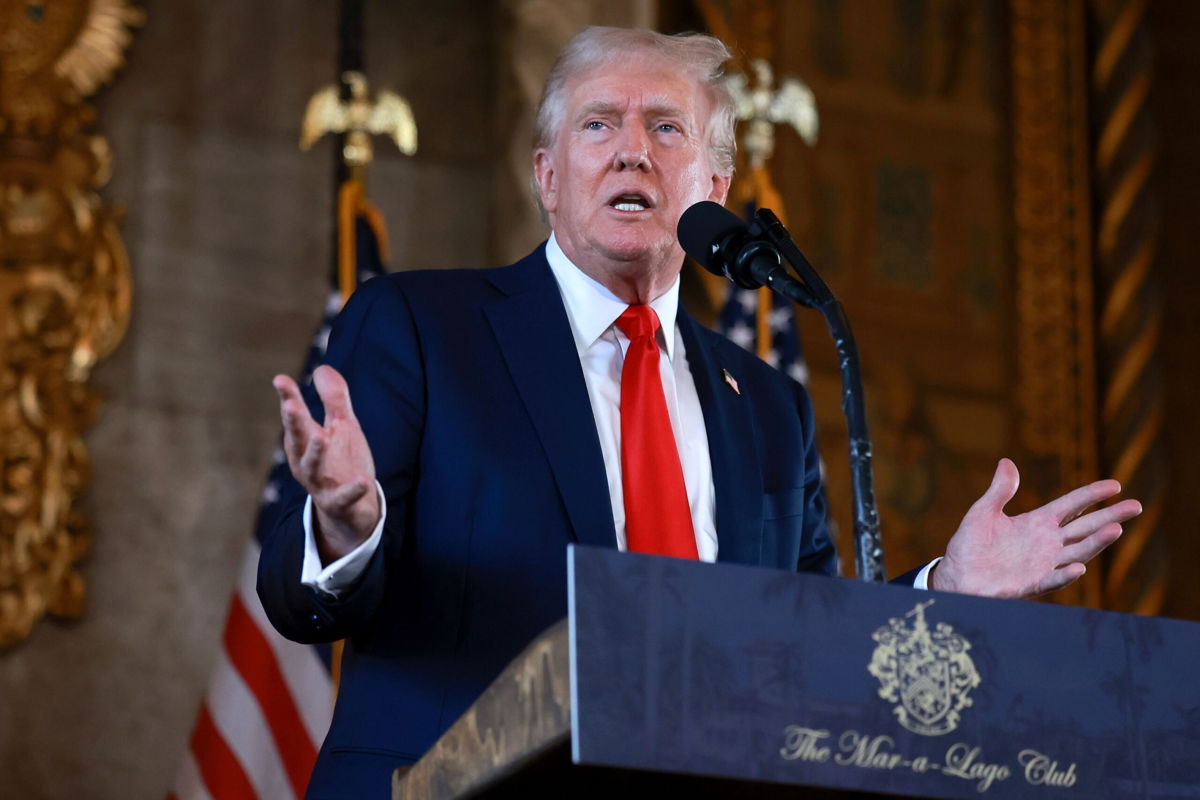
<point x="731" y="447"/>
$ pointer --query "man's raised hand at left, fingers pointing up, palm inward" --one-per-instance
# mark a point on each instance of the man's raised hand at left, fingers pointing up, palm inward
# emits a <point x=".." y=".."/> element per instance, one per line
<point x="333" y="464"/>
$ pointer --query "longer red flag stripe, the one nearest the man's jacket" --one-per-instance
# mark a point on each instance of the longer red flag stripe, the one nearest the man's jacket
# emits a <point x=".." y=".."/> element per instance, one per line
<point x="255" y="661"/>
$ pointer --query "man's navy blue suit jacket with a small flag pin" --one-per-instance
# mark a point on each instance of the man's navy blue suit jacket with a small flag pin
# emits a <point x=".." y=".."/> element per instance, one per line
<point x="471" y="393"/>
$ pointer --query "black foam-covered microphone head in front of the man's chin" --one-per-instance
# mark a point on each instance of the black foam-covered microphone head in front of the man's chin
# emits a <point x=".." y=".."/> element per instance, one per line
<point x="723" y="244"/>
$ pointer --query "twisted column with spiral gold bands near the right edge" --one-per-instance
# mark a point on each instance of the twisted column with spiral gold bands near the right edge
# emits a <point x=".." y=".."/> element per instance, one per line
<point x="1130" y="302"/>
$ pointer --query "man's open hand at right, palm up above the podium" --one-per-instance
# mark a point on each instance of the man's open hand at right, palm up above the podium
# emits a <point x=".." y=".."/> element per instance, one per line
<point x="998" y="556"/>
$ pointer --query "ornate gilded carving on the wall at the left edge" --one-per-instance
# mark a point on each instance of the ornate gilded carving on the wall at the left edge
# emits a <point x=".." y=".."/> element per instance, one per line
<point x="64" y="291"/>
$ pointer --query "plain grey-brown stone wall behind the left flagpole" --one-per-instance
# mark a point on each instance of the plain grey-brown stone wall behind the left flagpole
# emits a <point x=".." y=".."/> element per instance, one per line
<point x="229" y="231"/>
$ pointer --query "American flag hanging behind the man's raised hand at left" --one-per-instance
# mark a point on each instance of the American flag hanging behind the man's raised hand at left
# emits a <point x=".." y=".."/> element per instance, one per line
<point x="269" y="702"/>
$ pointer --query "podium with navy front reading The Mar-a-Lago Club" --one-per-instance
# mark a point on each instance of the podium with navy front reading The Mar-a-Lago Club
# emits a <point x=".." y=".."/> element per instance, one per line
<point x="725" y="682"/>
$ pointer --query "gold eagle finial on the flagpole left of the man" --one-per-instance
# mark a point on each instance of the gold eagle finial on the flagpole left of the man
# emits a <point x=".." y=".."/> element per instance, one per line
<point x="359" y="118"/>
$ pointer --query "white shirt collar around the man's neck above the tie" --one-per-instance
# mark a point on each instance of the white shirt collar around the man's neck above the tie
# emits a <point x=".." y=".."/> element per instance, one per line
<point x="592" y="308"/>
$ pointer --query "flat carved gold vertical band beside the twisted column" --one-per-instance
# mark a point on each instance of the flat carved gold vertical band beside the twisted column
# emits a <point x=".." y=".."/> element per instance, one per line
<point x="1052" y="234"/>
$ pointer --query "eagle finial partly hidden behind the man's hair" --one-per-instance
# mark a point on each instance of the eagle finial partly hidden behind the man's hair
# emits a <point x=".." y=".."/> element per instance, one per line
<point x="764" y="107"/>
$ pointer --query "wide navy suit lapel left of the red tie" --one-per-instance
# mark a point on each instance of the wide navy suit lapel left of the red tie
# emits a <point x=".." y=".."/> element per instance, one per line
<point x="535" y="335"/>
